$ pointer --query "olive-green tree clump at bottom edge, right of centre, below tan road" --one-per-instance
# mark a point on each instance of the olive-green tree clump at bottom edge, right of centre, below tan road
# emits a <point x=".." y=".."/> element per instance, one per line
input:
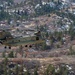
<point x="51" y="70"/>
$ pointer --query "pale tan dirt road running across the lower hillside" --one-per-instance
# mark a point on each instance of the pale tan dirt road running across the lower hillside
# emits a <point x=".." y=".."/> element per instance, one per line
<point x="49" y="60"/>
